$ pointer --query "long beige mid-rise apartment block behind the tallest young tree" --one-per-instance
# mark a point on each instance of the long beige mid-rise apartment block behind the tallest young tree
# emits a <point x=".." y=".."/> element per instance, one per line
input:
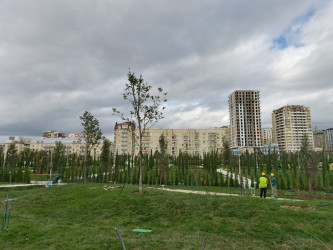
<point x="191" y="141"/>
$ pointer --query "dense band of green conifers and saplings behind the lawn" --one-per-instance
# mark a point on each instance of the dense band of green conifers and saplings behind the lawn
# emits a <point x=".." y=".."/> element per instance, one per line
<point x="305" y="170"/>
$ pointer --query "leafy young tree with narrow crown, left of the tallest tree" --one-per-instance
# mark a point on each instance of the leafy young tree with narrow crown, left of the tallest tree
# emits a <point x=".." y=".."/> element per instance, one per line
<point x="91" y="135"/>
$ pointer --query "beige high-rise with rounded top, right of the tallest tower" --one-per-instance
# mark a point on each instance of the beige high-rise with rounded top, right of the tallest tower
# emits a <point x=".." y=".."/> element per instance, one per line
<point x="290" y="124"/>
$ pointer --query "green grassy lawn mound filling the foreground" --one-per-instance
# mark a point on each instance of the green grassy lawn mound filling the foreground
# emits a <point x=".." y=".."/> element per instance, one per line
<point x="84" y="216"/>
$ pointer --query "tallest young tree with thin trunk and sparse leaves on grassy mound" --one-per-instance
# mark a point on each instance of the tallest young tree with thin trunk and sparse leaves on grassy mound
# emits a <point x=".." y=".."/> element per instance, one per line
<point x="145" y="109"/>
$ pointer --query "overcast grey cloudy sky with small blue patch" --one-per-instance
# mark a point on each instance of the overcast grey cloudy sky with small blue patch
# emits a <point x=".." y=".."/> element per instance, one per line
<point x="59" y="58"/>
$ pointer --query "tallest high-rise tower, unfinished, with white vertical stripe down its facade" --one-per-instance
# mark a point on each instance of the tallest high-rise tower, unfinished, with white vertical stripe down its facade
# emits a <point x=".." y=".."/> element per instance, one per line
<point x="245" y="119"/>
